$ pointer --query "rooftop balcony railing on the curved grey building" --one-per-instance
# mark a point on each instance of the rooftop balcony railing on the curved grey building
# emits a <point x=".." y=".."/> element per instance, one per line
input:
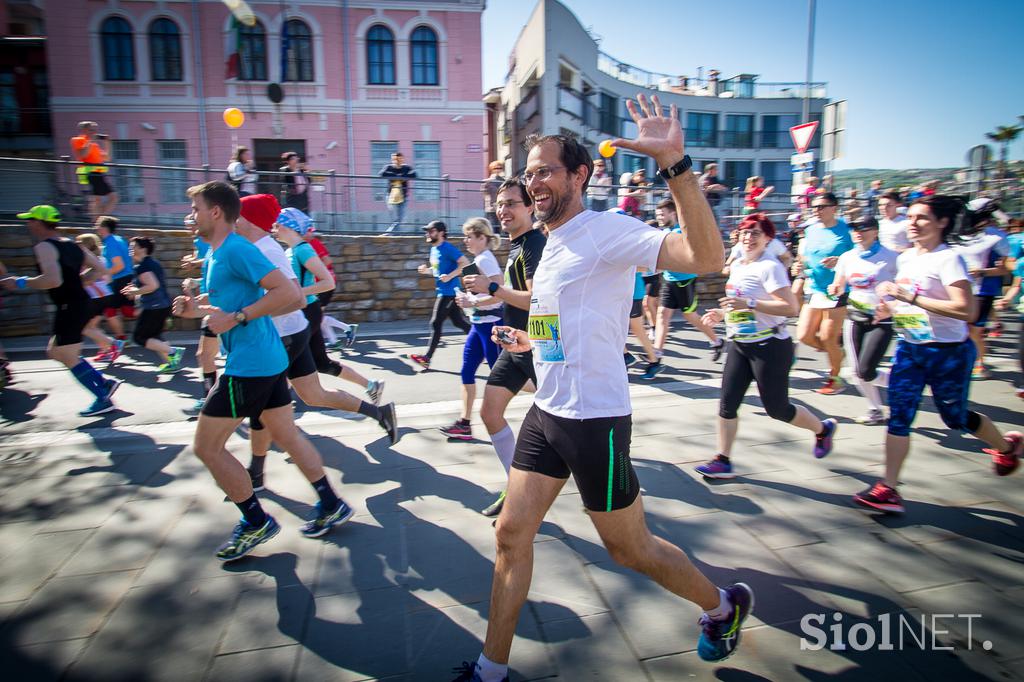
<point x="734" y="88"/>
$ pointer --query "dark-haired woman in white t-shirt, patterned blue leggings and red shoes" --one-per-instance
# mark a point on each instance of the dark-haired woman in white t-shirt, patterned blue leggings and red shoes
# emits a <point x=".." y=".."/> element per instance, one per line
<point x="930" y="304"/>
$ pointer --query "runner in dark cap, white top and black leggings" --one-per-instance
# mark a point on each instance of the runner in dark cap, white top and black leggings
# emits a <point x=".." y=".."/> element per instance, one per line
<point x="859" y="273"/>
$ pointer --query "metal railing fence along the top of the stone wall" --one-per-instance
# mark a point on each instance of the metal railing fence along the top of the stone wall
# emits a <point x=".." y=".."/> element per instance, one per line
<point x="351" y="204"/>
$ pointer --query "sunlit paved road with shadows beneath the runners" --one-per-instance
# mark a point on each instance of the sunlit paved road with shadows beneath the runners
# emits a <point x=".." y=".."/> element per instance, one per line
<point x="108" y="528"/>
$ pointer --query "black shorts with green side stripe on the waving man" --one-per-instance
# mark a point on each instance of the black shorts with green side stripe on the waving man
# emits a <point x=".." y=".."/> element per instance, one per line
<point x="596" y="452"/>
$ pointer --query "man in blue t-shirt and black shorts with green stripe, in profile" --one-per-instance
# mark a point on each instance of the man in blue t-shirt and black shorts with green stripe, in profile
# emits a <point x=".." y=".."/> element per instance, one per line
<point x="254" y="383"/>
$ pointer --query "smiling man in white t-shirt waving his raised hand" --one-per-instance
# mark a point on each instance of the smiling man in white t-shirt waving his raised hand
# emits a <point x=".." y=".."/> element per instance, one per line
<point x="581" y="421"/>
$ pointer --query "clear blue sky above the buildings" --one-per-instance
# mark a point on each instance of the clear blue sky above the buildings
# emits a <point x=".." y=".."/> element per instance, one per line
<point x="925" y="79"/>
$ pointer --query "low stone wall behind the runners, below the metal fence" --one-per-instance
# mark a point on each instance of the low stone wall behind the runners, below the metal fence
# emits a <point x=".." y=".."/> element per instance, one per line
<point x="377" y="278"/>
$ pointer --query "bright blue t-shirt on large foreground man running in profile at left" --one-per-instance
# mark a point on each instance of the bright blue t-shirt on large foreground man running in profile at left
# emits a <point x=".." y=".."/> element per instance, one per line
<point x="234" y="272"/>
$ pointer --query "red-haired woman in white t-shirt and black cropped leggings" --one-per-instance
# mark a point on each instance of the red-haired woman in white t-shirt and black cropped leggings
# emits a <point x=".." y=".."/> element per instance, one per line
<point x="757" y="303"/>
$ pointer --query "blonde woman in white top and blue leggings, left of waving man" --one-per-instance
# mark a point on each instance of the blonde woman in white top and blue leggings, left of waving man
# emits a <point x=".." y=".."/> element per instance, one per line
<point x="485" y="312"/>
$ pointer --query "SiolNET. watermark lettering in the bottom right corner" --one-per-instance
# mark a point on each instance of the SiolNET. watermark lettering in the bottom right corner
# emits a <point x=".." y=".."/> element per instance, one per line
<point x="886" y="633"/>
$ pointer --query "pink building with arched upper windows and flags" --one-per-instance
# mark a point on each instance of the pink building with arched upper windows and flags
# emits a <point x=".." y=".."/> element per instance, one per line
<point x="360" y="80"/>
